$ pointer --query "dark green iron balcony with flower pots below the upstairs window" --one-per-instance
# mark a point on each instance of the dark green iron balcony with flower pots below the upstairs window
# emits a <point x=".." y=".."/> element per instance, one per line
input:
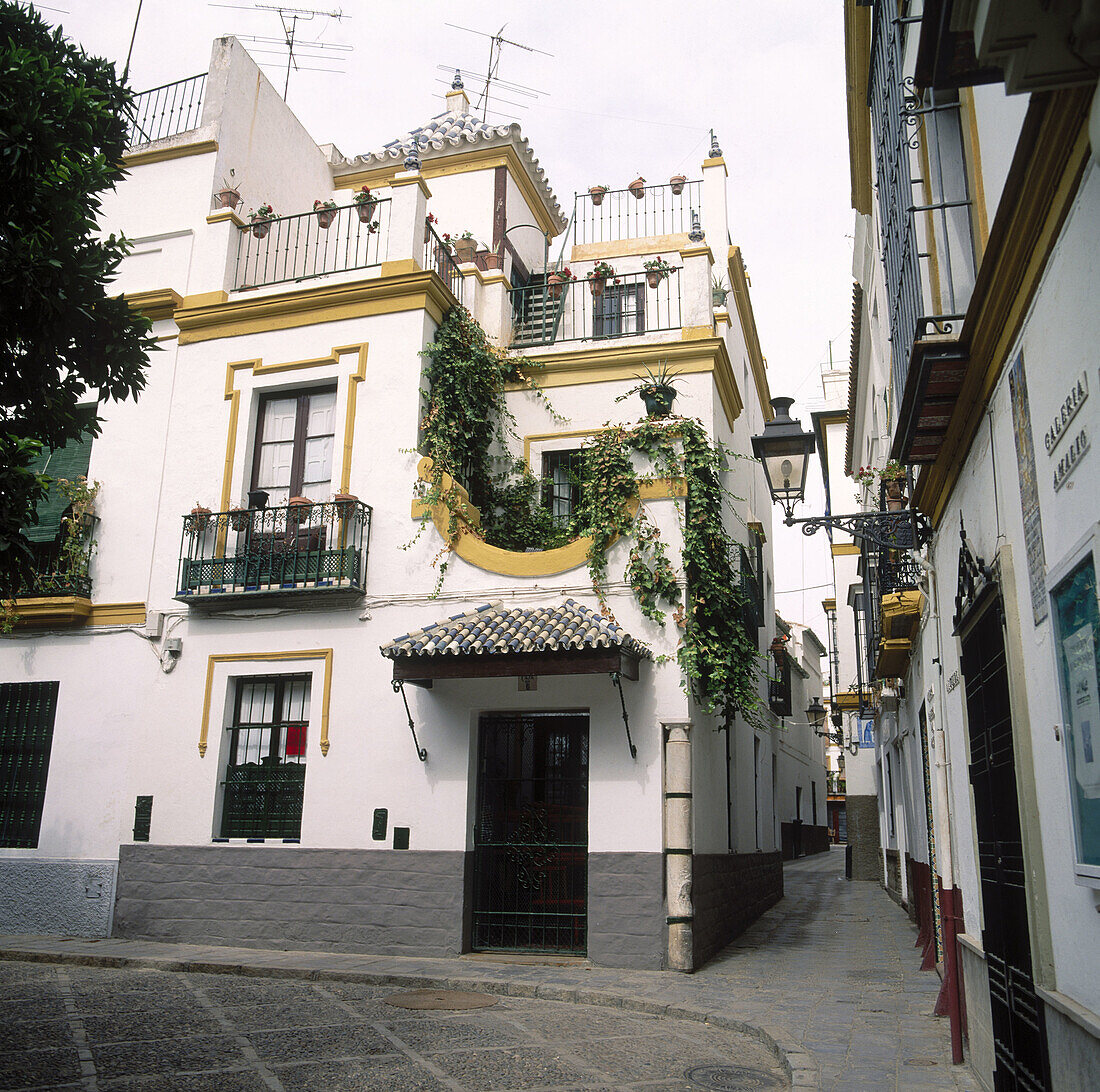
<point x="278" y="555"/>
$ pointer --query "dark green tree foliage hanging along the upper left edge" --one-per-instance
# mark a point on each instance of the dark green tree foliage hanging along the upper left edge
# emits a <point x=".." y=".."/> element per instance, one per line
<point x="64" y="338"/>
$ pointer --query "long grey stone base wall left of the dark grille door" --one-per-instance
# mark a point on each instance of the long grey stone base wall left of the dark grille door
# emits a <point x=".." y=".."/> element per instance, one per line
<point x="258" y="897"/>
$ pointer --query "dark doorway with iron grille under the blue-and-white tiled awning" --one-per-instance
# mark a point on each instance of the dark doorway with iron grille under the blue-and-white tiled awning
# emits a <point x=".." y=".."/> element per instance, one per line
<point x="532" y="833"/>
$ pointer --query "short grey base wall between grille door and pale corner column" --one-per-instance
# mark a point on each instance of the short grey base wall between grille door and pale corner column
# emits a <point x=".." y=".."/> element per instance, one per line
<point x="626" y="911"/>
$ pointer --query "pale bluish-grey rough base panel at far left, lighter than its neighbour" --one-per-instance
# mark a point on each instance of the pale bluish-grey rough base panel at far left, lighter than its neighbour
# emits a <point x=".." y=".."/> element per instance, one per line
<point x="71" y="899"/>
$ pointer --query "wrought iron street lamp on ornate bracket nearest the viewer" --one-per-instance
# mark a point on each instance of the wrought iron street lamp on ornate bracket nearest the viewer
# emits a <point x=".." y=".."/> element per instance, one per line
<point x="785" y="450"/>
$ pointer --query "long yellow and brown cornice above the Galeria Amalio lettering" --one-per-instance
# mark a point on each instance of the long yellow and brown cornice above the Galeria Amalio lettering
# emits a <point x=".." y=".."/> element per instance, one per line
<point x="1031" y="214"/>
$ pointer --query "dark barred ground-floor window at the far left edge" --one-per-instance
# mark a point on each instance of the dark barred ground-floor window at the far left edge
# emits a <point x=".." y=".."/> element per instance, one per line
<point x="27" y="732"/>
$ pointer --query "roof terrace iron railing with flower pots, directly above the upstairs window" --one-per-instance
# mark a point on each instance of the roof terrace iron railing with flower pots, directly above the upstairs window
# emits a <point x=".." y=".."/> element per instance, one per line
<point x="312" y="245"/>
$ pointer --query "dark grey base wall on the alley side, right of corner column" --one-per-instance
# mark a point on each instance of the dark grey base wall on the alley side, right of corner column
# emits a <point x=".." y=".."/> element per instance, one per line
<point x="731" y="891"/>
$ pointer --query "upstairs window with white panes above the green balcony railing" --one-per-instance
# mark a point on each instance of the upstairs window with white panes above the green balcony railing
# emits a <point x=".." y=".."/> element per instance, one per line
<point x="293" y="456"/>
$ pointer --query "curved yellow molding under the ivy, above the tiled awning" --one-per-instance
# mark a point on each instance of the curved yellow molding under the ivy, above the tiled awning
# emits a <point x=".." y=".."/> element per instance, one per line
<point x="475" y="550"/>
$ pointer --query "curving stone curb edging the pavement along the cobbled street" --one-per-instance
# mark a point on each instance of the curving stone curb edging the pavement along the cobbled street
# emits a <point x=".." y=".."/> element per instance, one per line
<point x="800" y="1066"/>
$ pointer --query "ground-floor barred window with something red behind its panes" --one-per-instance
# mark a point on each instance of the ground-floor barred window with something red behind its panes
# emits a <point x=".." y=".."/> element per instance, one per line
<point x="266" y="758"/>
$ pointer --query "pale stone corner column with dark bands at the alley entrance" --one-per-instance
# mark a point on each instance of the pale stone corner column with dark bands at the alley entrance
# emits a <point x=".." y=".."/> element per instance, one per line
<point x="678" y="844"/>
